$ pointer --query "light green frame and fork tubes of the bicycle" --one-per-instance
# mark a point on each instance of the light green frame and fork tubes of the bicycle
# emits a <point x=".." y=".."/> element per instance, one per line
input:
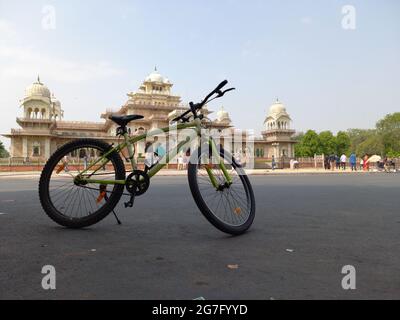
<point x="85" y="177"/>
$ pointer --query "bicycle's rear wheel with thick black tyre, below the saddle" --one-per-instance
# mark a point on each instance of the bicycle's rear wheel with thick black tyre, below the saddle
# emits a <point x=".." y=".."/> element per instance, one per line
<point x="78" y="205"/>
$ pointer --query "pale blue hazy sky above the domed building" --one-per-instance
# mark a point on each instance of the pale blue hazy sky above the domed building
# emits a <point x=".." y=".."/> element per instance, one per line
<point x="332" y="69"/>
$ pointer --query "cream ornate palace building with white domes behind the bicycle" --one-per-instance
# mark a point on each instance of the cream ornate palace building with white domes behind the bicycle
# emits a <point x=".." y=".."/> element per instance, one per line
<point x="43" y="128"/>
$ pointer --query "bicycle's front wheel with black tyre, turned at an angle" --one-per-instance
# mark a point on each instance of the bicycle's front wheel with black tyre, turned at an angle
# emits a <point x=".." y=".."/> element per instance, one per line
<point x="231" y="208"/>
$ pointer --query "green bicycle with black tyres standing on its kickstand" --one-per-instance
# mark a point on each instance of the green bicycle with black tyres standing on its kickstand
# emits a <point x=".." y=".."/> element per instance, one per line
<point x="80" y="193"/>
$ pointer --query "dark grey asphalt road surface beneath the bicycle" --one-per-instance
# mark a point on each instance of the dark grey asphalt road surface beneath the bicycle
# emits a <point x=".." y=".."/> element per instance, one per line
<point x="165" y="249"/>
